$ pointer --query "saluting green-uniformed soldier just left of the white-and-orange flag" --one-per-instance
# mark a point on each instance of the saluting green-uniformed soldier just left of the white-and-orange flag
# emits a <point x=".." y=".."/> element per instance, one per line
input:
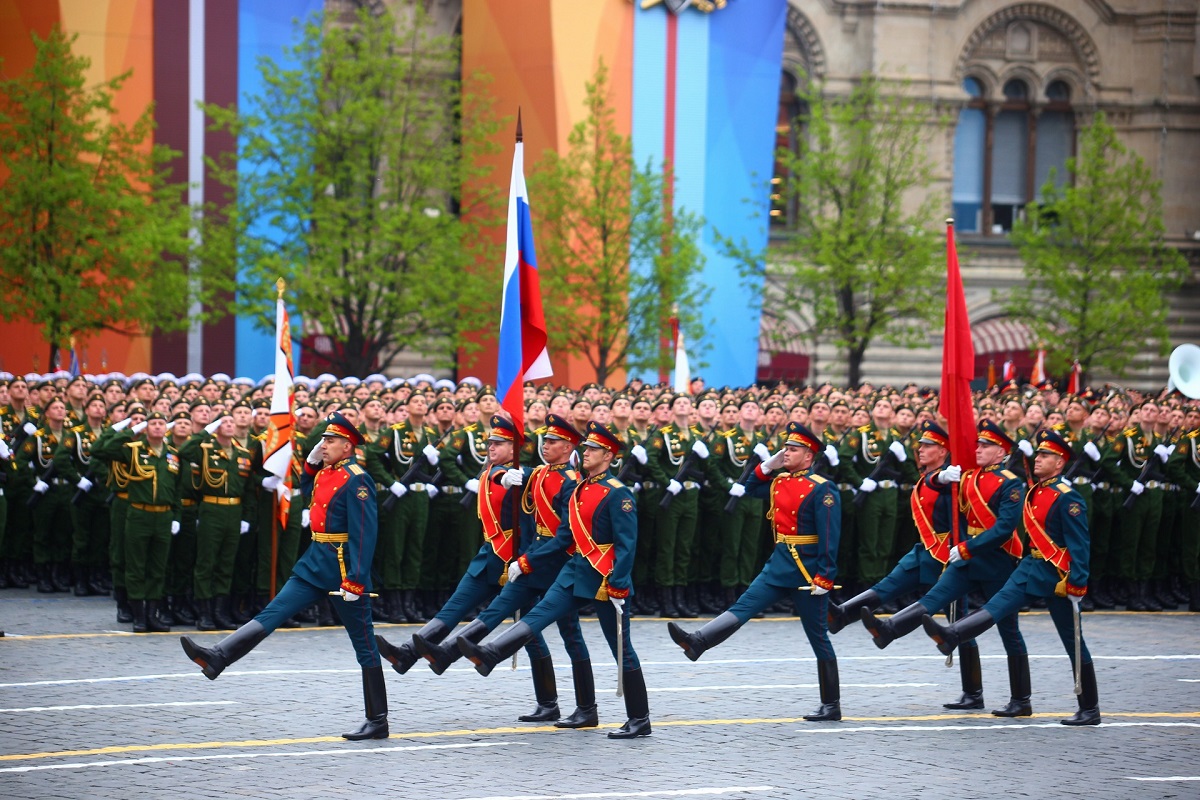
<point x="227" y="500"/>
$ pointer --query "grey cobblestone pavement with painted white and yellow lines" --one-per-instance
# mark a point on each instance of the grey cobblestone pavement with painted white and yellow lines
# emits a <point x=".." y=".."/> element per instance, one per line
<point x="91" y="712"/>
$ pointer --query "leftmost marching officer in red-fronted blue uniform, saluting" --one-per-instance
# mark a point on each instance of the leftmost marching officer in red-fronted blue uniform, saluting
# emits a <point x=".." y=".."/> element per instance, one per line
<point x="344" y="526"/>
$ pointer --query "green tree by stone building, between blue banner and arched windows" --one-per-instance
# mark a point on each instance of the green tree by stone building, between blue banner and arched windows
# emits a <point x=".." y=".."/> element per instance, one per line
<point x="863" y="261"/>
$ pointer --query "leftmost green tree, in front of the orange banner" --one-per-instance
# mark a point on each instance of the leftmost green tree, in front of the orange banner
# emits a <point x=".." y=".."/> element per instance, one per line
<point x="89" y="224"/>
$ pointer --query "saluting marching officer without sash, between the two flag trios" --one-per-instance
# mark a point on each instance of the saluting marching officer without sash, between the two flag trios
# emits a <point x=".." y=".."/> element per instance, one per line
<point x="806" y="516"/>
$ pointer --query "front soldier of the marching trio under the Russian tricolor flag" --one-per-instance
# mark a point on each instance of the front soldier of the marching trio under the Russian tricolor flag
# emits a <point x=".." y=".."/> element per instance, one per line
<point x="599" y="532"/>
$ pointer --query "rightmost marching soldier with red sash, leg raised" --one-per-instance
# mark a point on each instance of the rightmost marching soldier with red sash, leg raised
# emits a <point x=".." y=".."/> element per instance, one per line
<point x="1057" y="569"/>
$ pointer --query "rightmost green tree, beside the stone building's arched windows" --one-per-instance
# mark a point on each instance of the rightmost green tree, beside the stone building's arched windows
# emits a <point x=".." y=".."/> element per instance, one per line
<point x="1097" y="269"/>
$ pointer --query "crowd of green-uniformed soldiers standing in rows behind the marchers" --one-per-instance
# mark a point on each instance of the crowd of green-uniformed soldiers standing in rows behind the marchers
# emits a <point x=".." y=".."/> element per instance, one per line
<point x="153" y="488"/>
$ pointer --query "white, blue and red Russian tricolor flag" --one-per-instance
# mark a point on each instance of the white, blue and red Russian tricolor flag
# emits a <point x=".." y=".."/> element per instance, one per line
<point x="523" y="344"/>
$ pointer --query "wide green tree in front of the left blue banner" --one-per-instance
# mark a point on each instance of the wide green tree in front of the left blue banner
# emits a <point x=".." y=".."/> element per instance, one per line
<point x="349" y="184"/>
